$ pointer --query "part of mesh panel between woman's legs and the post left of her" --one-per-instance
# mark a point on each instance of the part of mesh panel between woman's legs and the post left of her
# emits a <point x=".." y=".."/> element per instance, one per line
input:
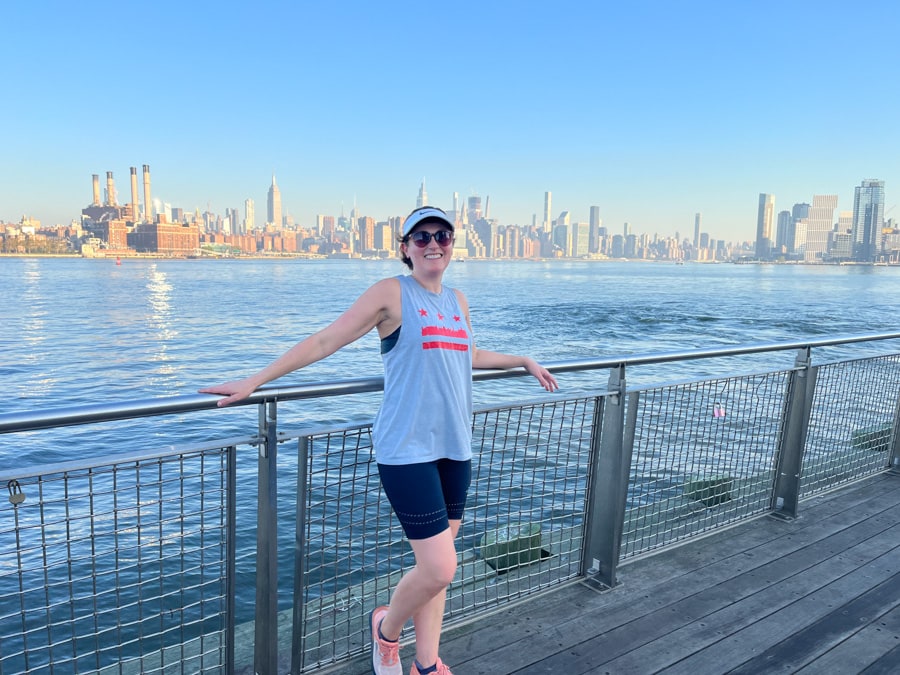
<point x="353" y="548"/>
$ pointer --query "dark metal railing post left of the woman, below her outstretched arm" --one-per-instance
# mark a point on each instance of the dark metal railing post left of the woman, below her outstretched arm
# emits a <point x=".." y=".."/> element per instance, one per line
<point x="265" y="652"/>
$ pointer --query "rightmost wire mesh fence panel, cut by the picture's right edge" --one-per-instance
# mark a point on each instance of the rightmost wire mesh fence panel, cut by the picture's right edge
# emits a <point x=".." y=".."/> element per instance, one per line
<point x="852" y="422"/>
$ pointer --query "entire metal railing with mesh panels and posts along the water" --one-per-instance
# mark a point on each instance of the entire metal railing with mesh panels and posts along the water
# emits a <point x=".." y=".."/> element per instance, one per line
<point x="279" y="541"/>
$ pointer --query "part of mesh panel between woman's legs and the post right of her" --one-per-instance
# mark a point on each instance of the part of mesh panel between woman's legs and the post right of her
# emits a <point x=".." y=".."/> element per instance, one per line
<point x="527" y="503"/>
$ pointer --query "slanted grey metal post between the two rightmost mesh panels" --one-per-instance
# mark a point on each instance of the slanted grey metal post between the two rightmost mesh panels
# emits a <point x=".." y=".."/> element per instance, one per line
<point x="799" y="397"/>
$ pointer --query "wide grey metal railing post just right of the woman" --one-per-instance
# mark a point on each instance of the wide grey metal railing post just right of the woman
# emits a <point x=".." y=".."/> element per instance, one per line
<point x="605" y="494"/>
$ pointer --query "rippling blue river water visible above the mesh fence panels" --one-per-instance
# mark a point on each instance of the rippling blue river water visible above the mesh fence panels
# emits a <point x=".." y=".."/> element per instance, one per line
<point x="77" y="331"/>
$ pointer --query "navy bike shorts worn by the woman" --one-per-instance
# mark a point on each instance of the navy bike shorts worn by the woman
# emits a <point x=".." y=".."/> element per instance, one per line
<point x="427" y="495"/>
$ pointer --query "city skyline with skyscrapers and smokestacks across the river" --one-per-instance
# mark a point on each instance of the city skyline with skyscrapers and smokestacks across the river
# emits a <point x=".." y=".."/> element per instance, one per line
<point x="811" y="233"/>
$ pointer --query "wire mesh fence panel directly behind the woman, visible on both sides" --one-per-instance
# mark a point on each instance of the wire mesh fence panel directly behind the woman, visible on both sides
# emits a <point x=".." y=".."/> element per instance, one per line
<point x="521" y="530"/>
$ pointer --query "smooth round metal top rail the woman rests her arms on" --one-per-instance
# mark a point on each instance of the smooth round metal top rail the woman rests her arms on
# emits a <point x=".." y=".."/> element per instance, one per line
<point x="106" y="412"/>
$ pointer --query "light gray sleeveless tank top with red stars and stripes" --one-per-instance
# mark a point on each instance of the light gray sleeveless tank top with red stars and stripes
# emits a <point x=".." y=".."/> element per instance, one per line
<point x="426" y="413"/>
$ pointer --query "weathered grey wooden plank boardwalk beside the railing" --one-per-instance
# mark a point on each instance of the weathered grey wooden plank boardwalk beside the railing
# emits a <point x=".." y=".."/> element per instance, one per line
<point x="816" y="595"/>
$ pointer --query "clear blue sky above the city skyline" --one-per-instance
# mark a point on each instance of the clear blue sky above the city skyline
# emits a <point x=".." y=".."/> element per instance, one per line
<point x="651" y="110"/>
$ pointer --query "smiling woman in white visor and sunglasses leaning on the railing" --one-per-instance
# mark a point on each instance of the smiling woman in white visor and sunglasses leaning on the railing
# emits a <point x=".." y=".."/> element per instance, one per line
<point x="422" y="434"/>
